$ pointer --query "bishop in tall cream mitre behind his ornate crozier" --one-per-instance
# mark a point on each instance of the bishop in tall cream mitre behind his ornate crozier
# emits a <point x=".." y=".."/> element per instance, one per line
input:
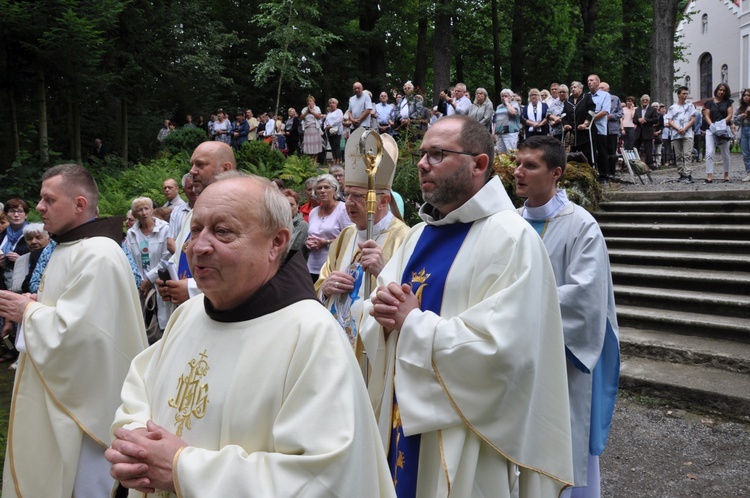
<point x="352" y="257"/>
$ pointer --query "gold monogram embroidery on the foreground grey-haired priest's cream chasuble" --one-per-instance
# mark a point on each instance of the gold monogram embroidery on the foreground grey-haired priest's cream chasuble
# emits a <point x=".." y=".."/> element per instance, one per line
<point x="192" y="396"/>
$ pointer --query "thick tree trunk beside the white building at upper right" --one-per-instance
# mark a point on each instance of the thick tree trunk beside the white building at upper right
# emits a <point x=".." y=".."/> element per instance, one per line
<point x="662" y="50"/>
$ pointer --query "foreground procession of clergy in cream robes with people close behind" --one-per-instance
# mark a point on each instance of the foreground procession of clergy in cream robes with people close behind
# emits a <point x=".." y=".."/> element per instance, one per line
<point x="486" y="336"/>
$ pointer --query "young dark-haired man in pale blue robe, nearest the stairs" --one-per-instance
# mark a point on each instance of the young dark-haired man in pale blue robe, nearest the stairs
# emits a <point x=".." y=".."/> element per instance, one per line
<point x="576" y="247"/>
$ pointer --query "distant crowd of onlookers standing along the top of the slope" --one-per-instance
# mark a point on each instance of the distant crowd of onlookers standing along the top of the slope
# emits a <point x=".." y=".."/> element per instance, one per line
<point x="587" y="118"/>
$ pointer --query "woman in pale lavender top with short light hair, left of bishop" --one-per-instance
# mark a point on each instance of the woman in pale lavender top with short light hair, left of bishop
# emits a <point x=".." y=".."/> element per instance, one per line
<point x="326" y="222"/>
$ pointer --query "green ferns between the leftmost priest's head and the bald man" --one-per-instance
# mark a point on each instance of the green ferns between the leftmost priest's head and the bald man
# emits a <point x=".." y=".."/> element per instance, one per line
<point x="118" y="191"/>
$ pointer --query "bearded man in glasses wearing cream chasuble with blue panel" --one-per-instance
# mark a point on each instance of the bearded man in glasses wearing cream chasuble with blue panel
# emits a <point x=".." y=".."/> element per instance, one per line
<point x="457" y="354"/>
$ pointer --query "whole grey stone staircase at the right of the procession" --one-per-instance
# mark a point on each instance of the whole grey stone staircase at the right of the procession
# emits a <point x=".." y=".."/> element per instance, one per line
<point x="681" y="270"/>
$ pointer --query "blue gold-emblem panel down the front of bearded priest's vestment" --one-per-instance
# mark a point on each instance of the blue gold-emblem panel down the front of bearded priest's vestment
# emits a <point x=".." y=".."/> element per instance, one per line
<point x="426" y="271"/>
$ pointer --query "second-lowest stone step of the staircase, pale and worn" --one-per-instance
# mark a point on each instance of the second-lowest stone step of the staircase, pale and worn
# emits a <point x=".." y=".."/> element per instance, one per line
<point x="680" y="348"/>
